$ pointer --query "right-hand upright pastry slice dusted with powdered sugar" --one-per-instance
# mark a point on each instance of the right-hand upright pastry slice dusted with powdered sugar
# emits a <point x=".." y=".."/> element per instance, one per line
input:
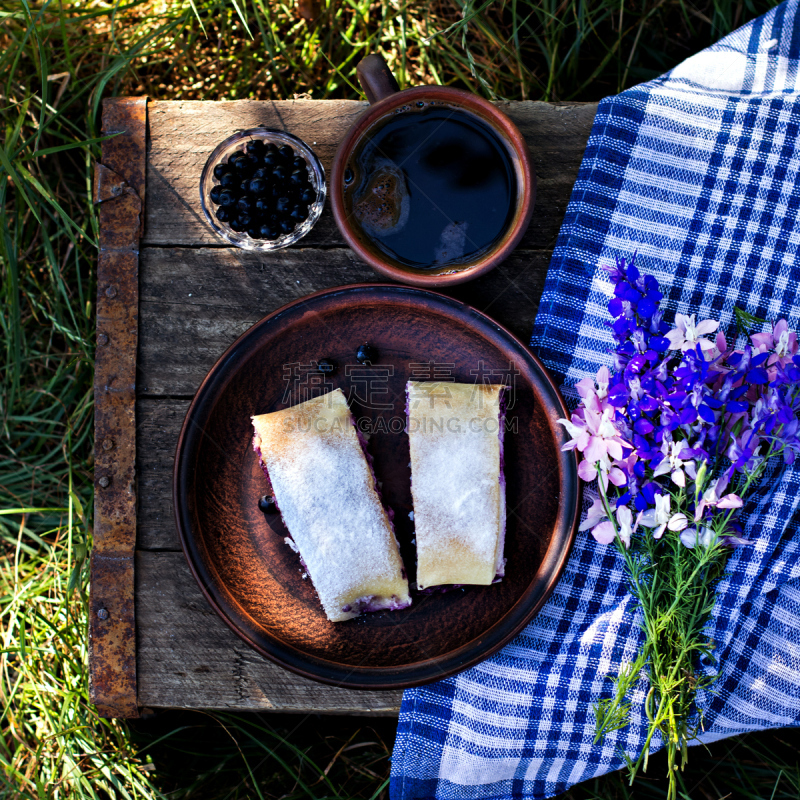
<point x="455" y="434"/>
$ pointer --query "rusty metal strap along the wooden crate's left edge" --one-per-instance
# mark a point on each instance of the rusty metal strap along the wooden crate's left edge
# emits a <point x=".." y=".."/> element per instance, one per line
<point x="119" y="183"/>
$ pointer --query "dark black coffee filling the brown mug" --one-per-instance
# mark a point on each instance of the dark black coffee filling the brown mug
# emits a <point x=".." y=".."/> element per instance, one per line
<point x="432" y="187"/>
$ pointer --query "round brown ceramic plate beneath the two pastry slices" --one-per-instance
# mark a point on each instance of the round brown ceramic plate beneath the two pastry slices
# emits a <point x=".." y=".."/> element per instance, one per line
<point x="237" y="553"/>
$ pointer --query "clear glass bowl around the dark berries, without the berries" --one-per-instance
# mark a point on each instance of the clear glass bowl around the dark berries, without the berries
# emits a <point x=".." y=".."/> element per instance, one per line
<point x="236" y="143"/>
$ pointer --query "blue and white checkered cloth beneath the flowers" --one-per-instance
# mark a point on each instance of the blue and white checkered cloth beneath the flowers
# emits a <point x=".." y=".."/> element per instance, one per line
<point x="699" y="172"/>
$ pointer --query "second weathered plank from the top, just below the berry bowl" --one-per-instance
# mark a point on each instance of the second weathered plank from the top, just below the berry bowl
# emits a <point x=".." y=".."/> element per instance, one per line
<point x="196" y="302"/>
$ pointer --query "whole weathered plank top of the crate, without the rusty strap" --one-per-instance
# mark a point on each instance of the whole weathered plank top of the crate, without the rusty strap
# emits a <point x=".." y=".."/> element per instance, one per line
<point x="197" y="295"/>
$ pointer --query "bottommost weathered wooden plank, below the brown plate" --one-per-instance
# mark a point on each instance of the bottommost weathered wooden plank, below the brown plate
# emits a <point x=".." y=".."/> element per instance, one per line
<point x="188" y="658"/>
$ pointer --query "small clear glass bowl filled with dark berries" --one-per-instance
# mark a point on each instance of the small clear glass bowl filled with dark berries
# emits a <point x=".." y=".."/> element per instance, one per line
<point x="262" y="189"/>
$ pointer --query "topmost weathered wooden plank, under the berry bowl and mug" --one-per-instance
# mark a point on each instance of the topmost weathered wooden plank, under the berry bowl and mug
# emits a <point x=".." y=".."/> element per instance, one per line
<point x="183" y="135"/>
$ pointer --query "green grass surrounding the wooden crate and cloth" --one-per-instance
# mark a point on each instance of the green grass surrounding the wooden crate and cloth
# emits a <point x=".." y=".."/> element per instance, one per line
<point x="57" y="61"/>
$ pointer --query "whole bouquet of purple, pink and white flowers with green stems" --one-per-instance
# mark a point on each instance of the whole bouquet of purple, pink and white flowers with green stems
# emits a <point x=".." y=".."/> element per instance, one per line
<point x="676" y="436"/>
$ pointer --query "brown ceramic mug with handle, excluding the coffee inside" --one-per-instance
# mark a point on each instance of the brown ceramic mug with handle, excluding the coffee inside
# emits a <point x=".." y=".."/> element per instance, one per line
<point x="386" y="102"/>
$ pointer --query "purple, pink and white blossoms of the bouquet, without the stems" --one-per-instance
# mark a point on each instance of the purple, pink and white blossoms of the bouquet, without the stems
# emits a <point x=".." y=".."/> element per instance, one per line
<point x="678" y="400"/>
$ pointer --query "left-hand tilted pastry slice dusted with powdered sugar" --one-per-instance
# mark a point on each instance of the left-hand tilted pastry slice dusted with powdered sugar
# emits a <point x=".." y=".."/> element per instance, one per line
<point x="325" y="490"/>
